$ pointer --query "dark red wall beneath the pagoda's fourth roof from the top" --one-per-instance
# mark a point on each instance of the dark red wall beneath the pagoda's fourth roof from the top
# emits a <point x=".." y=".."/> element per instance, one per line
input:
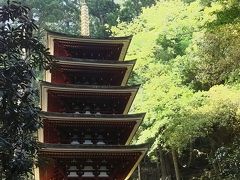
<point x="86" y="134"/>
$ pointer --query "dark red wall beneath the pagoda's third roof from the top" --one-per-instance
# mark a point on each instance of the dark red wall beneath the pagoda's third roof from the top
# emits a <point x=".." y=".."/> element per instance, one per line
<point x="91" y="104"/>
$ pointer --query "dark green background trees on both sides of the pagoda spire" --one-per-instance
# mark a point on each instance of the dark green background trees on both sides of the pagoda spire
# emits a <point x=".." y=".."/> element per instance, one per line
<point x="63" y="15"/>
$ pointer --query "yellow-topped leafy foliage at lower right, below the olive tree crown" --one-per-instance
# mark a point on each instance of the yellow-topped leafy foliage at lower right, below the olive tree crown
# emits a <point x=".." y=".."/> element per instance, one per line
<point x="204" y="115"/>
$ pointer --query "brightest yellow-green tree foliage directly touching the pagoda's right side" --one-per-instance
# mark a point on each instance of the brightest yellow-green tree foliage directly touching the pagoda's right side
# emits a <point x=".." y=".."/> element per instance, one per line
<point x="151" y="46"/>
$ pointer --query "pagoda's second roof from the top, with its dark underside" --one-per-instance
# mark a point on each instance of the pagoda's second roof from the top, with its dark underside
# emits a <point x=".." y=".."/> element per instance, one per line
<point x="119" y="71"/>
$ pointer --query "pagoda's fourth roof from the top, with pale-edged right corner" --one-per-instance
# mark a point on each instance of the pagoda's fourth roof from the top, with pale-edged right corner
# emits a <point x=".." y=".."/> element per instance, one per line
<point x="98" y="120"/>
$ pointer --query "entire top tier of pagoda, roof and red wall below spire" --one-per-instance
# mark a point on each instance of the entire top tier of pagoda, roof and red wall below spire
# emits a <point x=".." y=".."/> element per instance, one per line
<point x="63" y="45"/>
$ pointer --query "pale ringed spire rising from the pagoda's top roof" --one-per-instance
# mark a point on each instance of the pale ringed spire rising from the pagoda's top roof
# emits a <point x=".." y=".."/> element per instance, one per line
<point x="84" y="19"/>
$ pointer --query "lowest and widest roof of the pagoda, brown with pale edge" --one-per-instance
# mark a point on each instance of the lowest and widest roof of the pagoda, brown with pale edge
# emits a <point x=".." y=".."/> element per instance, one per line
<point x="135" y="153"/>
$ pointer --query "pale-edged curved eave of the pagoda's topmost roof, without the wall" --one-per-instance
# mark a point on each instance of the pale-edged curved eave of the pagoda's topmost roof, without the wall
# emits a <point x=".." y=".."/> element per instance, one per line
<point x="125" y="41"/>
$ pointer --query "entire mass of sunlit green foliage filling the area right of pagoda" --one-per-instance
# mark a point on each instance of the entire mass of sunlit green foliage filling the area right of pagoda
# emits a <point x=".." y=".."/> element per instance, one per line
<point x="187" y="63"/>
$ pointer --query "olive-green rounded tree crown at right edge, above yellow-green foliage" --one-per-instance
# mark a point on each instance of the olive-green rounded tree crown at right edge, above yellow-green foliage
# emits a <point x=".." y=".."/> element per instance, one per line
<point x="213" y="58"/>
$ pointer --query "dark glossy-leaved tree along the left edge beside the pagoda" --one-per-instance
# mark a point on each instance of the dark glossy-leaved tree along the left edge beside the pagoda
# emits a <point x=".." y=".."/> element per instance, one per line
<point x="20" y="54"/>
